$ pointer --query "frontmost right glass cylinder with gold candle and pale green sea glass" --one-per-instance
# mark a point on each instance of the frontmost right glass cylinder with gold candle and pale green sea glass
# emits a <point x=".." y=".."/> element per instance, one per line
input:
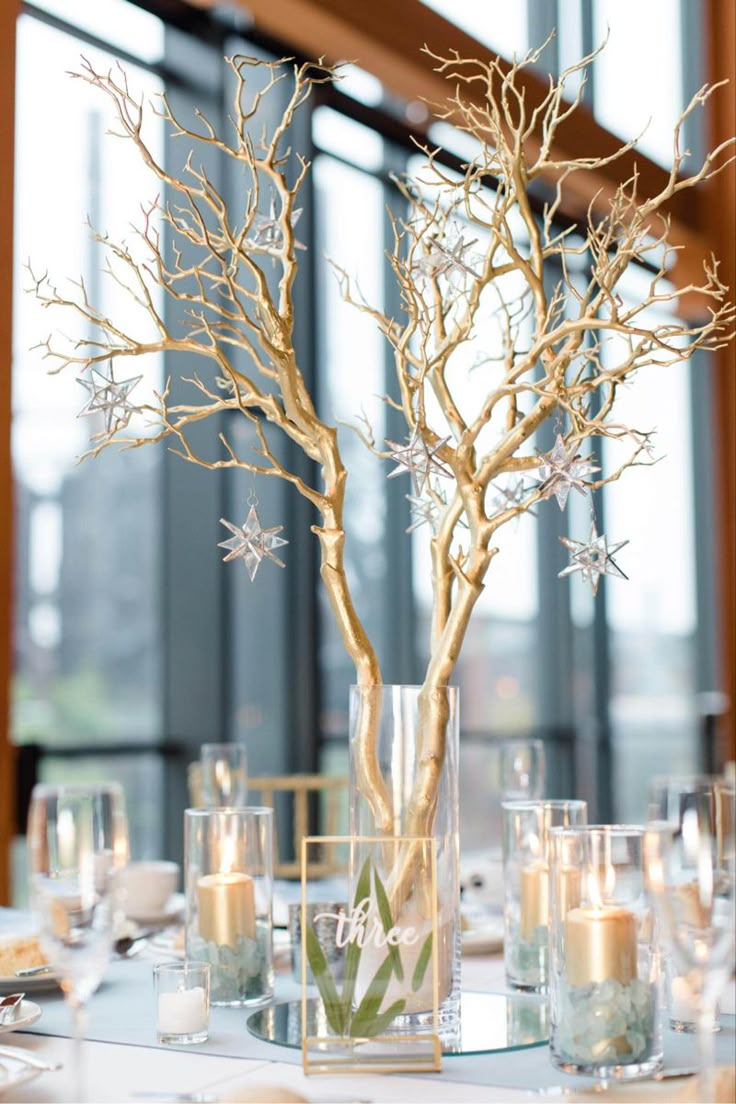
<point x="605" y="975"/>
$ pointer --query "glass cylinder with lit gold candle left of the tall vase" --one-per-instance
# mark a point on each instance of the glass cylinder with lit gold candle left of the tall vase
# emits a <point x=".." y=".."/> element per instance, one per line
<point x="230" y="891"/>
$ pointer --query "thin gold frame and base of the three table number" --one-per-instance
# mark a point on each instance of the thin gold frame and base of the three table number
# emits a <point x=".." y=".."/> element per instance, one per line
<point x="354" y="1064"/>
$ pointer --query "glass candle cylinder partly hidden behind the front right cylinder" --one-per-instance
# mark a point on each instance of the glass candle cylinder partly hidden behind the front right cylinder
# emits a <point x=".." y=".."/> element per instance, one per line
<point x="527" y="885"/>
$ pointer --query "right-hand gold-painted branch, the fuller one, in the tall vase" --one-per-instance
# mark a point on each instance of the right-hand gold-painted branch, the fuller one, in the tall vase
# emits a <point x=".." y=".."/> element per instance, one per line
<point x="567" y="338"/>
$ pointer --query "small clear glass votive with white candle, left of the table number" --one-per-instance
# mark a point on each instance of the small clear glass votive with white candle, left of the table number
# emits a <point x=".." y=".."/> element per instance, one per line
<point x="183" y="1003"/>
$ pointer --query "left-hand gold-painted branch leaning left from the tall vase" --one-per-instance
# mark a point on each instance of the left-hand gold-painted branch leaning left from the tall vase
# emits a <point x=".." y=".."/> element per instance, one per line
<point x="218" y="270"/>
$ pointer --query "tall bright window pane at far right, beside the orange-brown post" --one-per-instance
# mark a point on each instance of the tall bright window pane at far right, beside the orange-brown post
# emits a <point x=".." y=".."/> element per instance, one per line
<point x="653" y="618"/>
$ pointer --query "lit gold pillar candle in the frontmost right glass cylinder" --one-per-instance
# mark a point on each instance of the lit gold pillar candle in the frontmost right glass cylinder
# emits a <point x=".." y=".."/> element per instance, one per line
<point x="601" y="946"/>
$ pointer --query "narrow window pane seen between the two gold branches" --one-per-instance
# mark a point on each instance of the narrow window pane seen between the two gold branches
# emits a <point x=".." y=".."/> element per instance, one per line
<point x="353" y="380"/>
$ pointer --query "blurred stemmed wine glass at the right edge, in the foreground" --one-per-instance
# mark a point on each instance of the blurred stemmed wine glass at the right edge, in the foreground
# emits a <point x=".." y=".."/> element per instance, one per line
<point x="690" y="866"/>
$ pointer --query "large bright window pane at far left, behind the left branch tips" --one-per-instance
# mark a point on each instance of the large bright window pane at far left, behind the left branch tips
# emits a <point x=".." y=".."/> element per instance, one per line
<point x="88" y="619"/>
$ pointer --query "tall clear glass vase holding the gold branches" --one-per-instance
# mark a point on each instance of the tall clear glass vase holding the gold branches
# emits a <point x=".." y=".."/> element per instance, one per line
<point x="404" y="782"/>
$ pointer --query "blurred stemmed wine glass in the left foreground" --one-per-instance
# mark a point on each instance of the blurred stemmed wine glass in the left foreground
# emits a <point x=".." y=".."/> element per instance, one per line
<point x="78" y="840"/>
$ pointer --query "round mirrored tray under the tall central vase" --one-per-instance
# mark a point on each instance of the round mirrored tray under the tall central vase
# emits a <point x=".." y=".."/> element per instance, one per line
<point x="489" y="1022"/>
